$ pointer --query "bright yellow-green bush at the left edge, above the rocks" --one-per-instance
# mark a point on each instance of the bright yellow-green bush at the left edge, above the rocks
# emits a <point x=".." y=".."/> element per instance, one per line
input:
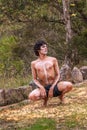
<point x="8" y="65"/>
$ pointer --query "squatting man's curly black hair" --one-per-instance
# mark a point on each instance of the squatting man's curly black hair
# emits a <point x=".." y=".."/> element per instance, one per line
<point x="37" y="46"/>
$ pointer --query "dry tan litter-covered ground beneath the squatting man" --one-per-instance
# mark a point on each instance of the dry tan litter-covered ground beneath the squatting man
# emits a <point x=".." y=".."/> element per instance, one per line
<point x="25" y="113"/>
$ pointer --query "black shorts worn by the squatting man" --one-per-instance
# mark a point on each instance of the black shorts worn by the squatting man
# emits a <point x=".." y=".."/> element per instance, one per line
<point x="56" y="92"/>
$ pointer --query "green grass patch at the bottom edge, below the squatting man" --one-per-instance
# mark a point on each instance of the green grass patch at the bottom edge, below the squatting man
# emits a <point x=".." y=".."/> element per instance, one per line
<point x="42" y="124"/>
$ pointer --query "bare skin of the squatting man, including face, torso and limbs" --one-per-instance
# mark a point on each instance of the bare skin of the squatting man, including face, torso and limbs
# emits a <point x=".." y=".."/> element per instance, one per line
<point x="45" y="71"/>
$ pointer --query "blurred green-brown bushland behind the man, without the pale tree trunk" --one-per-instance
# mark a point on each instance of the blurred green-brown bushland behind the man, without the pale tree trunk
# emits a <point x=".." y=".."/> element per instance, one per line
<point x="23" y="22"/>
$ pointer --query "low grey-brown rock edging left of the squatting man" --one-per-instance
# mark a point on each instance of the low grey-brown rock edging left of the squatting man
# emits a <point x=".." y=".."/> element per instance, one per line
<point x="14" y="95"/>
